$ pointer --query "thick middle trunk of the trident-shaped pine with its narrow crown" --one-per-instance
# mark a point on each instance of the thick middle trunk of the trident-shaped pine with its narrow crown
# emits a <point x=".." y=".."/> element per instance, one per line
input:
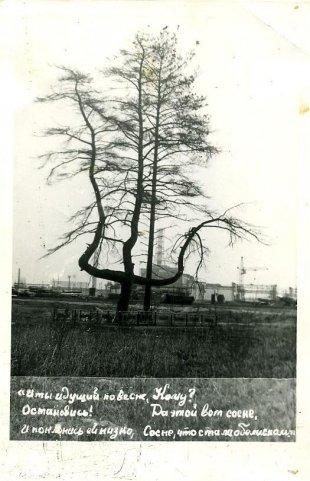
<point x="128" y="115"/>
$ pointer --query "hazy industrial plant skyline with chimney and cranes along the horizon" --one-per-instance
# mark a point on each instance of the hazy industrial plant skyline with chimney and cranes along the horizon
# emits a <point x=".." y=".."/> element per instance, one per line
<point x="186" y="285"/>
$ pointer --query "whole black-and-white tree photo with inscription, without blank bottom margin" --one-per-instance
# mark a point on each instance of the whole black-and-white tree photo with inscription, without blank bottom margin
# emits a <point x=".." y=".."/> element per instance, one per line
<point x="155" y="196"/>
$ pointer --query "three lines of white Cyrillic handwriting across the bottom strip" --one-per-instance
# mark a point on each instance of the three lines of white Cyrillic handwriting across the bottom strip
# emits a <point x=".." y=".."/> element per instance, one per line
<point x="104" y="414"/>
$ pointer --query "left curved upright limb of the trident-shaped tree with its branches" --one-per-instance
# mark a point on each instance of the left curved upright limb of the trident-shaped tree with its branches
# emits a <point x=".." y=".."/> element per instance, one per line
<point x="91" y="147"/>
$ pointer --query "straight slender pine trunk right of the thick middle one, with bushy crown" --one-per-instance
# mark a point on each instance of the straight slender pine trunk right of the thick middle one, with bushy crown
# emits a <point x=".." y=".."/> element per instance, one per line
<point x="179" y="131"/>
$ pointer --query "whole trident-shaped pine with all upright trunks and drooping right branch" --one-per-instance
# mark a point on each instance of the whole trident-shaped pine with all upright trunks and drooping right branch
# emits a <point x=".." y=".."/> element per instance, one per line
<point x="136" y="146"/>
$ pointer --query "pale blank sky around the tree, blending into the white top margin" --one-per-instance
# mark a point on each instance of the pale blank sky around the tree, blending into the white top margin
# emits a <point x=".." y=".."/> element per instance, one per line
<point x="254" y="70"/>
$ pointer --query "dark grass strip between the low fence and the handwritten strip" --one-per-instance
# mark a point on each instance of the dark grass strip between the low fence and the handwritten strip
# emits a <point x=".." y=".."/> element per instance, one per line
<point x="223" y="351"/>
